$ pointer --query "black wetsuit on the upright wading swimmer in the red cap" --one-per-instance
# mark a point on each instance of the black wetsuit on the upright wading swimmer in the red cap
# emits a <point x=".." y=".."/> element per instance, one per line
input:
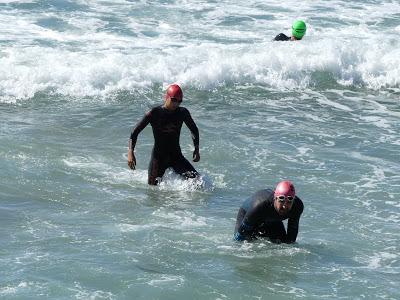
<point x="166" y="152"/>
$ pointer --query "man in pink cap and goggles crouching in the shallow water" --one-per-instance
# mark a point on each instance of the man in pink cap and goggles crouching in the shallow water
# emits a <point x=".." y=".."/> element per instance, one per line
<point x="262" y="214"/>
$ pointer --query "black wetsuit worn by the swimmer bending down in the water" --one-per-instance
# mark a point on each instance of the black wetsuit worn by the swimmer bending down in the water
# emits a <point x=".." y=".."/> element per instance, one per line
<point x="258" y="217"/>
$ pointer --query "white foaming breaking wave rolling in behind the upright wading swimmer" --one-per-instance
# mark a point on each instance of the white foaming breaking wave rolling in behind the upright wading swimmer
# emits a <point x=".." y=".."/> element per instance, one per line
<point x="372" y="64"/>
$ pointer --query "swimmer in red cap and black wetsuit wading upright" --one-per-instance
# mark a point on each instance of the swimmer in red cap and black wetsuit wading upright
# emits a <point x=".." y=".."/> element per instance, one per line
<point x="166" y="121"/>
